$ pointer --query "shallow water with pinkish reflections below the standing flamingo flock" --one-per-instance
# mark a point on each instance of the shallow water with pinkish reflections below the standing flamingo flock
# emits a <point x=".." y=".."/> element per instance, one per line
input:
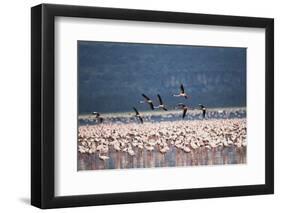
<point x="174" y="157"/>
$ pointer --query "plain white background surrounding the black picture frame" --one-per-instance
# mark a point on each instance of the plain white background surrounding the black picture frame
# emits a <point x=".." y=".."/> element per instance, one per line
<point x="15" y="104"/>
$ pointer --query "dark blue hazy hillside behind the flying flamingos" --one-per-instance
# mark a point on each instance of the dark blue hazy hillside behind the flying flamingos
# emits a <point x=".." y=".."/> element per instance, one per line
<point x="112" y="76"/>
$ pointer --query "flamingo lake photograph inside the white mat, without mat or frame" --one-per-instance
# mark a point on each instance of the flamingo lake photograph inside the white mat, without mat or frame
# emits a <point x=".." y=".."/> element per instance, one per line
<point x="160" y="105"/>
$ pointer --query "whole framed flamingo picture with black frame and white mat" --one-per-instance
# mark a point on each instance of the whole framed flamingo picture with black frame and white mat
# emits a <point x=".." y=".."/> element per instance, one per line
<point x="140" y="106"/>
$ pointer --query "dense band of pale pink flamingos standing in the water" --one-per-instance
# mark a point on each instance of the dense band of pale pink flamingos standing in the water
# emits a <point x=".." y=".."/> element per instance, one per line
<point x="131" y="138"/>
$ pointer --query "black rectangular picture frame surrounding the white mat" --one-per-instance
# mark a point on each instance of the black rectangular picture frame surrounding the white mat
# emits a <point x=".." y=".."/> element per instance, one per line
<point x="43" y="102"/>
